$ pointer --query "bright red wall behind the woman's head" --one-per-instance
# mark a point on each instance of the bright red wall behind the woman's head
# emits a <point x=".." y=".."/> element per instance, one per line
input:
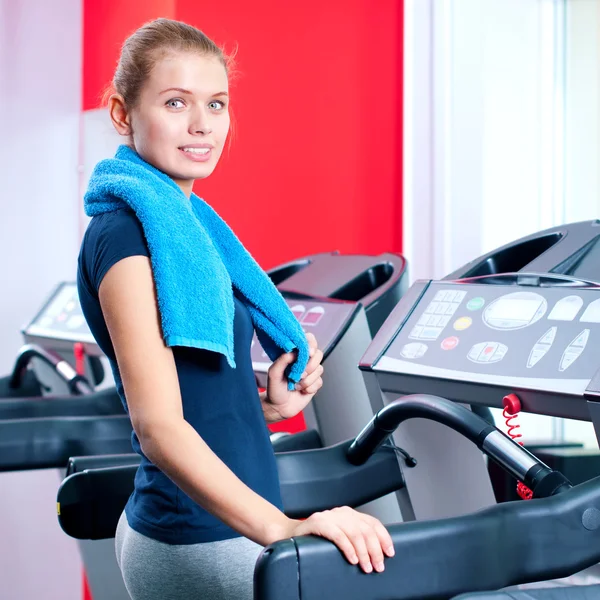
<point x="316" y="161"/>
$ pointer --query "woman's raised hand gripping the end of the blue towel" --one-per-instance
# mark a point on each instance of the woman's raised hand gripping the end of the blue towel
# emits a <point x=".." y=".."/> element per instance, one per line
<point x="280" y="403"/>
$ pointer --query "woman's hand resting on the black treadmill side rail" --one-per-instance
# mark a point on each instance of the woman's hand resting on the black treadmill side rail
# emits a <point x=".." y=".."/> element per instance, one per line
<point x="362" y="539"/>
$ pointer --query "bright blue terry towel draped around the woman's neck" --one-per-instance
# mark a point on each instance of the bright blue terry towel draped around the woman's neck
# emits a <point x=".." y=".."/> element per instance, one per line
<point x="196" y="259"/>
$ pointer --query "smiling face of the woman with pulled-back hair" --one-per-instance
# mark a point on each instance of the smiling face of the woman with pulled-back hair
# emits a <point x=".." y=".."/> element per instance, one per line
<point x="181" y="120"/>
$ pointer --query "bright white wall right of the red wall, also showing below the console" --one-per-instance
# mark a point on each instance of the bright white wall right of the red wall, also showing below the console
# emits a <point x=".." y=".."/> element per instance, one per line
<point x="502" y="133"/>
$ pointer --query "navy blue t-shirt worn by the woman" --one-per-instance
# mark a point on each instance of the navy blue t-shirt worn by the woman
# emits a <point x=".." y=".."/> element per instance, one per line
<point x="220" y="403"/>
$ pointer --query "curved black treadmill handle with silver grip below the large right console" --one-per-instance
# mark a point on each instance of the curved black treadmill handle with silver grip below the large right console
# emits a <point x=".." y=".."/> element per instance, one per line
<point x="518" y="461"/>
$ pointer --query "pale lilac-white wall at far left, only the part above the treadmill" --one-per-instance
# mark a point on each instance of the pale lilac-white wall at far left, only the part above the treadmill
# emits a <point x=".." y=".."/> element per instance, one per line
<point x="40" y="102"/>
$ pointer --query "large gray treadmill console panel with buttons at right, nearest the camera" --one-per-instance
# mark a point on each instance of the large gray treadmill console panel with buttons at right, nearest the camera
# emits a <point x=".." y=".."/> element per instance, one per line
<point x="531" y="336"/>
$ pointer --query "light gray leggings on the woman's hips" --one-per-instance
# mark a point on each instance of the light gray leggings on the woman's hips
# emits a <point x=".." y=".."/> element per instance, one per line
<point x="153" y="570"/>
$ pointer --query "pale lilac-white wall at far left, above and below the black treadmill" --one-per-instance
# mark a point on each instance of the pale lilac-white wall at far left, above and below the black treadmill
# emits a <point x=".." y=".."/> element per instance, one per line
<point x="40" y="102"/>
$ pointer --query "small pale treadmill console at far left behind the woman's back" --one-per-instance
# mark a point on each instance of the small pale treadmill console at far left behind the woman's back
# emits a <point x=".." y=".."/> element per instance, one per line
<point x="60" y="318"/>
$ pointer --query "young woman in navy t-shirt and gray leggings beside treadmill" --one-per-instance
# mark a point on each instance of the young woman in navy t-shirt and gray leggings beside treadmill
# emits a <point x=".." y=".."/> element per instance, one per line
<point x="206" y="494"/>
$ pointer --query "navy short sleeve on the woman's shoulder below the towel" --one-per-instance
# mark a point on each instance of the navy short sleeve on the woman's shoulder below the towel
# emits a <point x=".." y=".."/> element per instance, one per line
<point x="111" y="237"/>
